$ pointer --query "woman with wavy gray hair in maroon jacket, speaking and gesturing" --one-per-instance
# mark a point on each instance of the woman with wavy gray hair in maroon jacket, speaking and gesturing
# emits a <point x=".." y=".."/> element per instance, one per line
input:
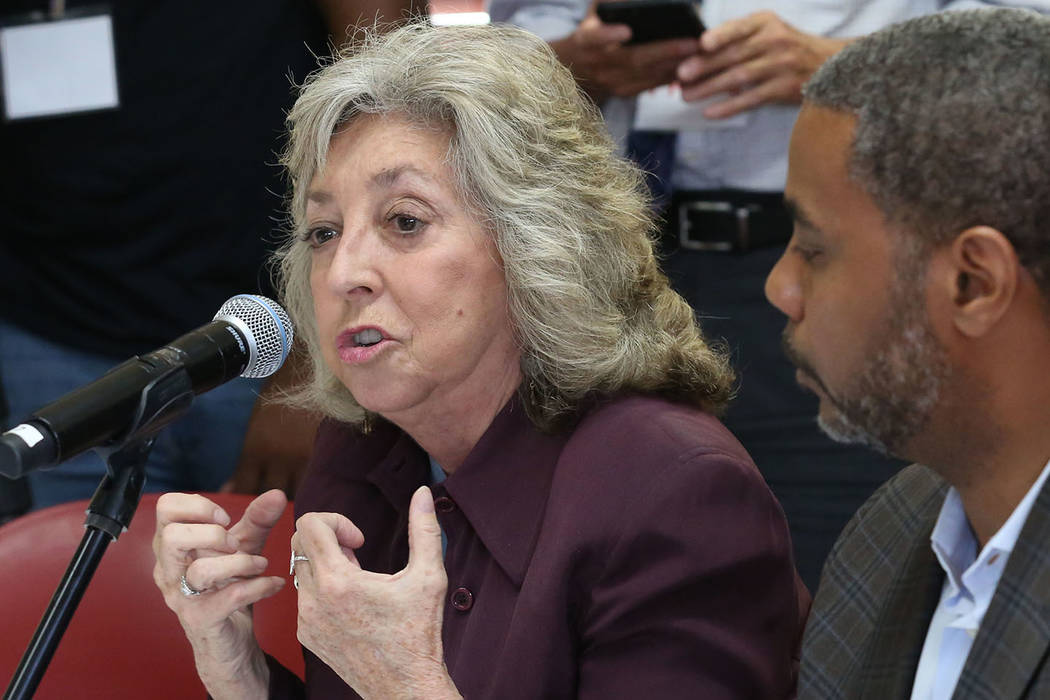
<point x="521" y="490"/>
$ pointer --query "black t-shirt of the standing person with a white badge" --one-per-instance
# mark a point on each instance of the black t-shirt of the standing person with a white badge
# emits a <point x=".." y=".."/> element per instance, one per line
<point x="123" y="229"/>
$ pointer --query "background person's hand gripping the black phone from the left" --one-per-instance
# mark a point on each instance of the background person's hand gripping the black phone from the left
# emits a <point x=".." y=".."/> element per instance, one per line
<point x="604" y="67"/>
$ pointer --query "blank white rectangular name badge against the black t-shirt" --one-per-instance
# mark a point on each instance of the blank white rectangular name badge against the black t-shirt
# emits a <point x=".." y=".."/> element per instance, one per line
<point x="58" y="68"/>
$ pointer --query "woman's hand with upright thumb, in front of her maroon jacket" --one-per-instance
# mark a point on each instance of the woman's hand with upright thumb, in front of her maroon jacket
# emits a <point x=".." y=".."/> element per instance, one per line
<point x="381" y="633"/>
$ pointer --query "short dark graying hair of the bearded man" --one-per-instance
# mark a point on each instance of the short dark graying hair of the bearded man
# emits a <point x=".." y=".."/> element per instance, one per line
<point x="953" y="126"/>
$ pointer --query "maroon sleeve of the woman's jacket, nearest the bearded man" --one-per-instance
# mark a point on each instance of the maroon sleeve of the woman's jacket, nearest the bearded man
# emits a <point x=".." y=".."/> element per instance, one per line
<point x="699" y="596"/>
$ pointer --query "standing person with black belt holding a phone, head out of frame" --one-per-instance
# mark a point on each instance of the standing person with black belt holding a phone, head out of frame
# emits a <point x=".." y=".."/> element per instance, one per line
<point x="722" y="177"/>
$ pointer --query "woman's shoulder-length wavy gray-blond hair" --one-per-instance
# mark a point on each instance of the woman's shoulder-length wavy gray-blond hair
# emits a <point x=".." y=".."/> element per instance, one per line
<point x="593" y="312"/>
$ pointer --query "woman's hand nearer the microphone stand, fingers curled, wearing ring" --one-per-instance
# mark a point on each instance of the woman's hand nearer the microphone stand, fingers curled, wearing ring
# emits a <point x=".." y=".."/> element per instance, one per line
<point x="225" y="565"/>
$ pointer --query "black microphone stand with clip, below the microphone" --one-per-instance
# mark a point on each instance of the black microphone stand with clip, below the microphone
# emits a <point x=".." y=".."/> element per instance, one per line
<point x="110" y="514"/>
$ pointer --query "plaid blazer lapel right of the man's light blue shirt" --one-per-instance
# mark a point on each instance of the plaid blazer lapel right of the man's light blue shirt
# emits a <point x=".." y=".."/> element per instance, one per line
<point x="1014" y="640"/>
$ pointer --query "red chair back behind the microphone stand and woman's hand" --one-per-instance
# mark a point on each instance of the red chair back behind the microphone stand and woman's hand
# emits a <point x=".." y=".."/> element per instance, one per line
<point x="123" y="642"/>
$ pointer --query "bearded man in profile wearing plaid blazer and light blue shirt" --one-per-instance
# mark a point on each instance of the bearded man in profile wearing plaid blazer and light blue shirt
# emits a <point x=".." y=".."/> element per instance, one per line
<point x="917" y="288"/>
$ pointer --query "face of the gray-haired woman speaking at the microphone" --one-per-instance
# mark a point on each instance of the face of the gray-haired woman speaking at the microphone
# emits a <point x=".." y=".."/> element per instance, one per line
<point x="409" y="292"/>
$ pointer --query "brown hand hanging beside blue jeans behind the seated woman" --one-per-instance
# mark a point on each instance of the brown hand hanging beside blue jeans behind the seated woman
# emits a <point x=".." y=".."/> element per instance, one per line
<point x="279" y="443"/>
